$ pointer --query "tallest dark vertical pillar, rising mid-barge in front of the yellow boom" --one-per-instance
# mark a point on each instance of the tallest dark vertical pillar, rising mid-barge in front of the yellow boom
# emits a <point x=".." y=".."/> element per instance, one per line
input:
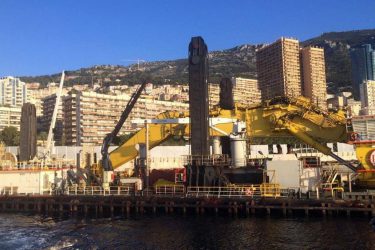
<point x="198" y="96"/>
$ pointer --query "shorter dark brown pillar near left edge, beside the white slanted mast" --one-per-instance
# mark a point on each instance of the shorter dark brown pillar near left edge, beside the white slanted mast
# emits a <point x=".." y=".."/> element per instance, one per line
<point x="28" y="132"/>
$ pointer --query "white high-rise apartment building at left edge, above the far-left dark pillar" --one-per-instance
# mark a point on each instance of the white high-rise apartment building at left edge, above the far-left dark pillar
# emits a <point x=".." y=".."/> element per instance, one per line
<point x="13" y="92"/>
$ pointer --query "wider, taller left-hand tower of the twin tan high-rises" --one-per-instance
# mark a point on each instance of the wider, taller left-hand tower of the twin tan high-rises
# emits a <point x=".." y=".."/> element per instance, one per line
<point x="279" y="71"/>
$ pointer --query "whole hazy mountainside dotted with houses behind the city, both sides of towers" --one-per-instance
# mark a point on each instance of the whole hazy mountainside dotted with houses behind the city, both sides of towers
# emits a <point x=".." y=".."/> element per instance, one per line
<point x="237" y="61"/>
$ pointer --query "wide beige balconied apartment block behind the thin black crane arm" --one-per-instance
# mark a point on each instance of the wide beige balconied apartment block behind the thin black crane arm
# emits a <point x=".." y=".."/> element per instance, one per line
<point x="89" y="116"/>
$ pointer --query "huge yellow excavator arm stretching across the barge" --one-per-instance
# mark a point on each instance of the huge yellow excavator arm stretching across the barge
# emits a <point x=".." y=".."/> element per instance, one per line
<point x="280" y="120"/>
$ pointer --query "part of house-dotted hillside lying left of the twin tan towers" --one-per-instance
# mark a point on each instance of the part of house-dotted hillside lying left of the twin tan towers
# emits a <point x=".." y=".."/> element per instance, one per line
<point x="238" y="61"/>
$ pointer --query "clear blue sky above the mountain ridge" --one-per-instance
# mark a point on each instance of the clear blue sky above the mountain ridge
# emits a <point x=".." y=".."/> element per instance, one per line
<point x="46" y="36"/>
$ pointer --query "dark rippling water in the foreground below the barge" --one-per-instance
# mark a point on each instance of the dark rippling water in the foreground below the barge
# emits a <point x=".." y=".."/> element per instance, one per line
<point x="167" y="232"/>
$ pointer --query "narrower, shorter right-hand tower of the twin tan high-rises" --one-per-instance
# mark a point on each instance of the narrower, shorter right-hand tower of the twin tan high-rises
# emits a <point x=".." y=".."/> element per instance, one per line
<point x="314" y="76"/>
